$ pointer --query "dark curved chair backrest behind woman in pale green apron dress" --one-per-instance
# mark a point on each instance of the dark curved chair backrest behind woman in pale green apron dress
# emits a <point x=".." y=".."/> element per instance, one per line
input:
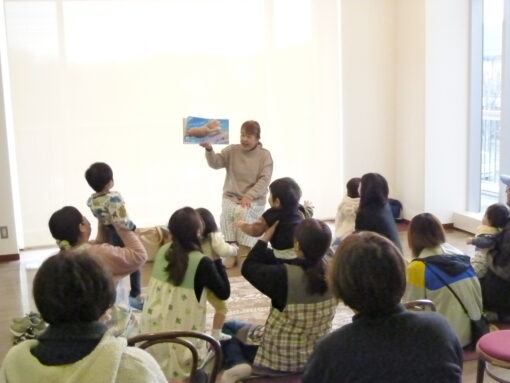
<point x="179" y="337"/>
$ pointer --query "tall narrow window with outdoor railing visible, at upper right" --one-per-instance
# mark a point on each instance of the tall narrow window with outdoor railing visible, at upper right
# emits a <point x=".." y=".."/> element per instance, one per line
<point x="486" y="101"/>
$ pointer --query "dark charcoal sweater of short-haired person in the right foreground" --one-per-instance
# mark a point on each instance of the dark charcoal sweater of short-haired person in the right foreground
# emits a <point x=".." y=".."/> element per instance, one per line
<point x="399" y="347"/>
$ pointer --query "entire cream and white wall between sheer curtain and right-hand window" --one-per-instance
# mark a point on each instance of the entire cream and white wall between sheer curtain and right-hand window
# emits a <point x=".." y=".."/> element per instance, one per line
<point x="405" y="84"/>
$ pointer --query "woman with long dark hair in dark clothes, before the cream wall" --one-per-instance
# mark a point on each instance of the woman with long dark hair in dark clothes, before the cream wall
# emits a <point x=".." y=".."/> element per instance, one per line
<point x="374" y="213"/>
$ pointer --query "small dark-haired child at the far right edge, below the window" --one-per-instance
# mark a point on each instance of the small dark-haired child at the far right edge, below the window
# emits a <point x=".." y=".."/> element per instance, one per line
<point x="495" y="218"/>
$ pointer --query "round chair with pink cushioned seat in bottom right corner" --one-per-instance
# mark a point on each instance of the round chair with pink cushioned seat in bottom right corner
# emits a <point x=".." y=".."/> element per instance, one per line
<point x="493" y="350"/>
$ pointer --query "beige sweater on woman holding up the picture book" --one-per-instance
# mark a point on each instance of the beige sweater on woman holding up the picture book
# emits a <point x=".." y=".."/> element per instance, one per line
<point x="248" y="172"/>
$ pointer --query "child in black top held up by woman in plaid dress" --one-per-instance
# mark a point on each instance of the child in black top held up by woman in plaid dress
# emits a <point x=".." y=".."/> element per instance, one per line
<point x="284" y="195"/>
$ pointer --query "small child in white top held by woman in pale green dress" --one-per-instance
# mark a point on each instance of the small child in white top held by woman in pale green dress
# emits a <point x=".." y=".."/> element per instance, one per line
<point x="212" y="241"/>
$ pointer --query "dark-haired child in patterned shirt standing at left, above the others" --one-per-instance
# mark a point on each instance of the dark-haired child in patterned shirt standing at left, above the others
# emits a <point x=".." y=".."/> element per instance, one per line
<point x="108" y="207"/>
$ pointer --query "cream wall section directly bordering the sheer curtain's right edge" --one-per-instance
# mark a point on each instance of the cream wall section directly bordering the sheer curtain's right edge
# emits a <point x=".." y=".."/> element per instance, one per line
<point x="368" y="60"/>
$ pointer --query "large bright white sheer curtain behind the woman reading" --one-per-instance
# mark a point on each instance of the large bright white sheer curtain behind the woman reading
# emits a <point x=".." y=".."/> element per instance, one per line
<point x="112" y="80"/>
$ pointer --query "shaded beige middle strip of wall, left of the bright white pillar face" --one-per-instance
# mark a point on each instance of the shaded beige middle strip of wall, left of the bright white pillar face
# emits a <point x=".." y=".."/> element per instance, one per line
<point x="410" y="105"/>
